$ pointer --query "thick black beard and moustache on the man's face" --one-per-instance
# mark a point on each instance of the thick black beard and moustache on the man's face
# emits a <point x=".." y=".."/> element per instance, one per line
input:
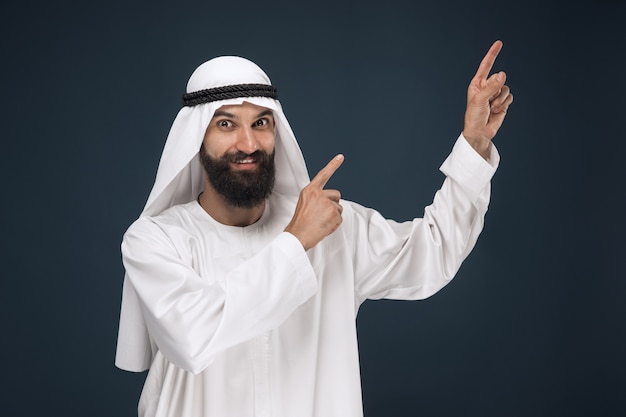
<point x="245" y="189"/>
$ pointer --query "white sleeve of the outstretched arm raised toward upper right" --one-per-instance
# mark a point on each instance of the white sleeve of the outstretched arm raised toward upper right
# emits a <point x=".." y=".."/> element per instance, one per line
<point x="415" y="259"/>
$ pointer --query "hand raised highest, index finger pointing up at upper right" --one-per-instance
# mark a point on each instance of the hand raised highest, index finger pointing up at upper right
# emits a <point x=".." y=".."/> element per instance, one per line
<point x="488" y="100"/>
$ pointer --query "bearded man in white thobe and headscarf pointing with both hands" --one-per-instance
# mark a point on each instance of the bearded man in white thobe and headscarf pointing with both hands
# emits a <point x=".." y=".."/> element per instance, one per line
<point x="244" y="277"/>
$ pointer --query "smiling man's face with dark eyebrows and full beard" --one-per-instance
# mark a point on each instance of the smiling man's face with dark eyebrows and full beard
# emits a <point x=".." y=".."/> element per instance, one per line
<point x="238" y="154"/>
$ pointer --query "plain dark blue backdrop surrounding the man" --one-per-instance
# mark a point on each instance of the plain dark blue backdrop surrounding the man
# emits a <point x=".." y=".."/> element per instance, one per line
<point x="534" y="323"/>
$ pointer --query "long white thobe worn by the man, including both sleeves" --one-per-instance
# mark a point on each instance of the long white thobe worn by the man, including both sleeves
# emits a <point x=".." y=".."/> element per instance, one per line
<point x="243" y="322"/>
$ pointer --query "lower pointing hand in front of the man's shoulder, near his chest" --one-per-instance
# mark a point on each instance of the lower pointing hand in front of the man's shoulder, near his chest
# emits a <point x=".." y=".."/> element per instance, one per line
<point x="318" y="212"/>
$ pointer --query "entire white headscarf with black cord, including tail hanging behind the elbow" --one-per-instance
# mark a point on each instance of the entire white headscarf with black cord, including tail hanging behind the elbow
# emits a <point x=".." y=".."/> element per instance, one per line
<point x="179" y="177"/>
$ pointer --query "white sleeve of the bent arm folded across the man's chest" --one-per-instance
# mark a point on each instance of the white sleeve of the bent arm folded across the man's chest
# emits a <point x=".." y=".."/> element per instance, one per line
<point x="192" y="319"/>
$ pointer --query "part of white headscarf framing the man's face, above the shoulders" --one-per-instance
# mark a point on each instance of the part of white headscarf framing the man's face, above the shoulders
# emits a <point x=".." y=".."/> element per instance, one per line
<point x="180" y="175"/>
